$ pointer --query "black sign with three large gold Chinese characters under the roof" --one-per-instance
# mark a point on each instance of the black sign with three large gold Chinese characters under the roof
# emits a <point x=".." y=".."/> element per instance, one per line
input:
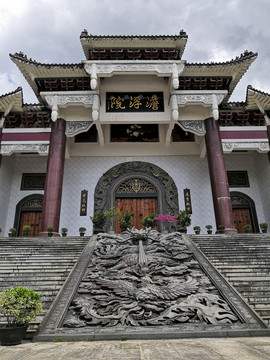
<point x="135" y="102"/>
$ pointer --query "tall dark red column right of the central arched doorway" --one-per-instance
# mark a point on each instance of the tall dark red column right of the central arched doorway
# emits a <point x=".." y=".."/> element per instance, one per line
<point x="218" y="176"/>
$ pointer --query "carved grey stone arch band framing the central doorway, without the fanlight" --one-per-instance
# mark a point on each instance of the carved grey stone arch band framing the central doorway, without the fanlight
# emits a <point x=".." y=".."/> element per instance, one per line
<point x="166" y="187"/>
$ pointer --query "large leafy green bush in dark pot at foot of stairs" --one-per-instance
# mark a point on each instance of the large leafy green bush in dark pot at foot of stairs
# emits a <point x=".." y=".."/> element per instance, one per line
<point x="19" y="305"/>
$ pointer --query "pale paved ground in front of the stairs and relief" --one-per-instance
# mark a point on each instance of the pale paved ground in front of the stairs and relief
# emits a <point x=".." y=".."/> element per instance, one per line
<point x="186" y="349"/>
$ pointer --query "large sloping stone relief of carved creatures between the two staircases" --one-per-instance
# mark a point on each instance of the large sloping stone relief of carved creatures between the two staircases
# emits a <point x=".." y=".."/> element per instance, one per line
<point x="143" y="278"/>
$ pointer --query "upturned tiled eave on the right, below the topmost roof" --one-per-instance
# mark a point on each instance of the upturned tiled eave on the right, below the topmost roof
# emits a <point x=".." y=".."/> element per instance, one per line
<point x="235" y="69"/>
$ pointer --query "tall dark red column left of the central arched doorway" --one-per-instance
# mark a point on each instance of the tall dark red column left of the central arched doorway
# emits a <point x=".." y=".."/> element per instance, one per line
<point x="54" y="178"/>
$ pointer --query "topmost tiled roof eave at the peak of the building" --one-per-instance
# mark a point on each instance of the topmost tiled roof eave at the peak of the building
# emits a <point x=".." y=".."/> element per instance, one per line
<point x="111" y="42"/>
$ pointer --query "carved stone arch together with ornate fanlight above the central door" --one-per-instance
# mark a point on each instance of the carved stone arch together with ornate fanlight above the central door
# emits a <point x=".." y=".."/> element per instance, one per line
<point x="137" y="179"/>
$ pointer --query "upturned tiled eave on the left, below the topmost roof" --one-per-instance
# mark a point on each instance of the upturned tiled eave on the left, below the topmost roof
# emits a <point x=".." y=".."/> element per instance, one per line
<point x="32" y="70"/>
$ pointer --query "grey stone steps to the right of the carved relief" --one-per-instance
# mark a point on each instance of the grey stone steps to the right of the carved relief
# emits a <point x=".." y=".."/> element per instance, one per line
<point x="244" y="259"/>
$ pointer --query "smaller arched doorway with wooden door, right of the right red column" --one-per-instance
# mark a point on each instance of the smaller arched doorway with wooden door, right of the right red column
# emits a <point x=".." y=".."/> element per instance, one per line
<point x="244" y="212"/>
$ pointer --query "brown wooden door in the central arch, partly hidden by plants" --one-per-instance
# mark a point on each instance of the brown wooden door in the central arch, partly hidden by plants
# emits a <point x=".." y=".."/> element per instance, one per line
<point x="140" y="207"/>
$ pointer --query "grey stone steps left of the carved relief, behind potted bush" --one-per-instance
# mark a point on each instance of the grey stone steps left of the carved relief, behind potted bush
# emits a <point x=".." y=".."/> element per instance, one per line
<point x="41" y="264"/>
